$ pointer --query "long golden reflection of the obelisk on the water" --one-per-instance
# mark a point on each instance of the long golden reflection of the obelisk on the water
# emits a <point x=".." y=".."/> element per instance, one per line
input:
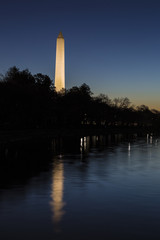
<point x="57" y="192"/>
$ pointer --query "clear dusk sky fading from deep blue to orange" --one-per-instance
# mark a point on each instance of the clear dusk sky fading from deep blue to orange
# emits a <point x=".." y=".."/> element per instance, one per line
<point x="112" y="45"/>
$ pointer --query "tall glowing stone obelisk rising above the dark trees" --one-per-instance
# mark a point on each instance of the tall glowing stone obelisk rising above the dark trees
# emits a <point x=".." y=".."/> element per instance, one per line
<point x="60" y="63"/>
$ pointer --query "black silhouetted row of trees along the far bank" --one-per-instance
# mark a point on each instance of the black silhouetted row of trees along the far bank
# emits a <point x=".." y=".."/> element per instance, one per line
<point x="30" y="101"/>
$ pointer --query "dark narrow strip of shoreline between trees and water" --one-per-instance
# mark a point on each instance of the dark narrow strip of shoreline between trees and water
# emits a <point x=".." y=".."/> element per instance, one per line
<point x="33" y="134"/>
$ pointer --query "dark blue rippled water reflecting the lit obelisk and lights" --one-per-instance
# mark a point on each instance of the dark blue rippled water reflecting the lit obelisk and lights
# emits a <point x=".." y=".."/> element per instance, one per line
<point x="91" y="187"/>
